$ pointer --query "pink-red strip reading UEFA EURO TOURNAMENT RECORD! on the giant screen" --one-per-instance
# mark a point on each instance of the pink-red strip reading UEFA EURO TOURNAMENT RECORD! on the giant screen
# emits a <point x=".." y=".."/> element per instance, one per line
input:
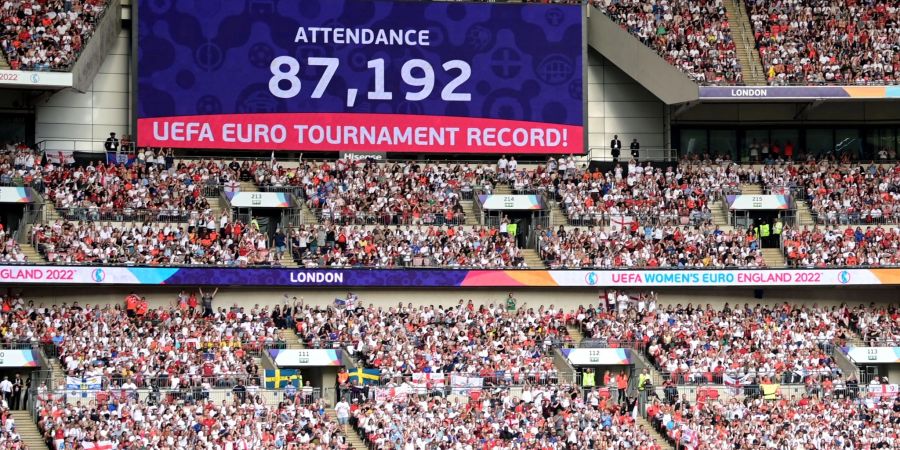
<point x="359" y="132"/>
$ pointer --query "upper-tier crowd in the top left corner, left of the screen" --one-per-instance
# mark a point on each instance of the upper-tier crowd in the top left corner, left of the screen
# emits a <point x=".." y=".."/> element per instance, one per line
<point x="47" y="35"/>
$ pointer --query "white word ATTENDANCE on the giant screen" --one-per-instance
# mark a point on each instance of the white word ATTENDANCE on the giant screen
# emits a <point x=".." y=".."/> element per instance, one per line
<point x="361" y="36"/>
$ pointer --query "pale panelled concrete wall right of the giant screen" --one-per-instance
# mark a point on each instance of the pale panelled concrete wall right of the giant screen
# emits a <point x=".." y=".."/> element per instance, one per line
<point x="619" y="105"/>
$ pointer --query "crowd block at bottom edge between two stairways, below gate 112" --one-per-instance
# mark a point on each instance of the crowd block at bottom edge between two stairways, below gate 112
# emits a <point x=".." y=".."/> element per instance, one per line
<point x="543" y="417"/>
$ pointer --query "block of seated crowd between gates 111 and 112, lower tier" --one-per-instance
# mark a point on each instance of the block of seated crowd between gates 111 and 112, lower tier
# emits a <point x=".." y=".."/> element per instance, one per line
<point x="501" y="346"/>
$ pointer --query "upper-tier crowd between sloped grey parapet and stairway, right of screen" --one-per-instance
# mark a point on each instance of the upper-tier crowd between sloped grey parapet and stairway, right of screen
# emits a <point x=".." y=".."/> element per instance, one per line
<point x="692" y="35"/>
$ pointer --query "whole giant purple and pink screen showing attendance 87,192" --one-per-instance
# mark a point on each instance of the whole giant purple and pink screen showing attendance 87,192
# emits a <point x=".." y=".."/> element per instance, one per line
<point x="361" y="75"/>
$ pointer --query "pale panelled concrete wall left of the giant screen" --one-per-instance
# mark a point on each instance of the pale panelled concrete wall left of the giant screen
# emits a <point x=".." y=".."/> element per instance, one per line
<point x="69" y="115"/>
